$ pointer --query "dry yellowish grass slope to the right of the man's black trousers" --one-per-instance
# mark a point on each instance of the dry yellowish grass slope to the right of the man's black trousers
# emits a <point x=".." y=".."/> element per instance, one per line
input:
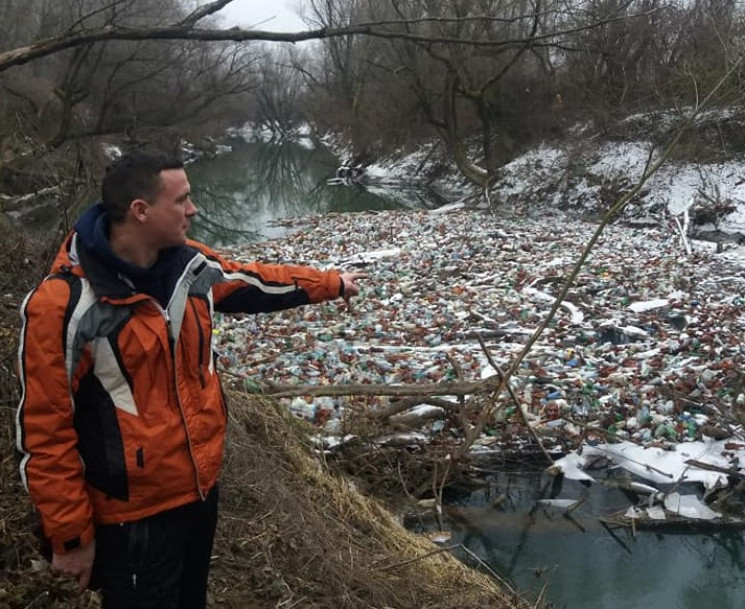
<point x="294" y="534"/>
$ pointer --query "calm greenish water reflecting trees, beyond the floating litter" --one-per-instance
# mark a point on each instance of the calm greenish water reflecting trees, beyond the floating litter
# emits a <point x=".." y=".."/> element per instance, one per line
<point x="241" y="193"/>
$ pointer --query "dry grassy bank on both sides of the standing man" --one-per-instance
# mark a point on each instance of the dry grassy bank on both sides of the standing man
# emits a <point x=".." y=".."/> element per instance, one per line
<point x="291" y="533"/>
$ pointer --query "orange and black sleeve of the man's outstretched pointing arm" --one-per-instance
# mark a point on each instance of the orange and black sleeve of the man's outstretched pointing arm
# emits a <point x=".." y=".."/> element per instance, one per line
<point x="255" y="287"/>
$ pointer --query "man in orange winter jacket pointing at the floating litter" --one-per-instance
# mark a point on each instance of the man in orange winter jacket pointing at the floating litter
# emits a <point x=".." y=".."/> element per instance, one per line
<point x="122" y="420"/>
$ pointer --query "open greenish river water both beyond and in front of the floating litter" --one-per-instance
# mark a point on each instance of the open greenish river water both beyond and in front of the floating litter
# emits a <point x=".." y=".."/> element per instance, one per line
<point x="584" y="565"/>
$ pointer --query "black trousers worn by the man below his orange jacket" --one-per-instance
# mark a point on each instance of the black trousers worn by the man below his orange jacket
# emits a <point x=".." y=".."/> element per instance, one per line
<point x="159" y="562"/>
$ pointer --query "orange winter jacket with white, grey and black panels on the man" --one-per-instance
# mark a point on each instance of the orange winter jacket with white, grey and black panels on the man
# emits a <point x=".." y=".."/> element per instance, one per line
<point x="122" y="414"/>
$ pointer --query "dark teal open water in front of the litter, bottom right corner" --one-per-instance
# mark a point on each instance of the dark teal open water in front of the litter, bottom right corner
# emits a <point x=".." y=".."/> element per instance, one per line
<point x="590" y="566"/>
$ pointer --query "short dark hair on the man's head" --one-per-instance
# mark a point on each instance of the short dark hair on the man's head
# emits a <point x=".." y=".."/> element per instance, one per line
<point x="135" y="175"/>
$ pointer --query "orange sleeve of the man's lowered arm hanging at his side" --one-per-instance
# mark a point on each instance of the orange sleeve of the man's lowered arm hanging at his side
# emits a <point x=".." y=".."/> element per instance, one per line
<point x="51" y="468"/>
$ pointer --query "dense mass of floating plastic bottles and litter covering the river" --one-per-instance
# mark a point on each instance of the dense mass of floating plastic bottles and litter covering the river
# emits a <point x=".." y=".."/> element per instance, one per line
<point x="644" y="349"/>
